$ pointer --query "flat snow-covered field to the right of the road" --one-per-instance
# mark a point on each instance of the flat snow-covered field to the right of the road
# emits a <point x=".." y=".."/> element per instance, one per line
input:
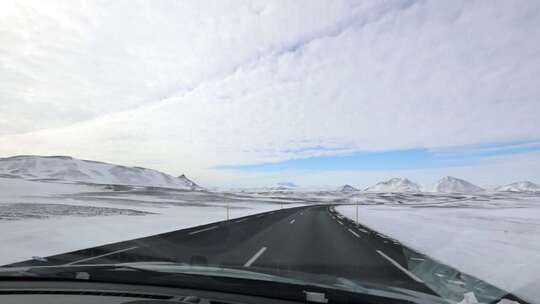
<point x="494" y="237"/>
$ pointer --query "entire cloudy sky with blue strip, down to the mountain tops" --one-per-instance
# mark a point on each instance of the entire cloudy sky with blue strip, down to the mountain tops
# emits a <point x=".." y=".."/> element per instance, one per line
<point x="252" y="93"/>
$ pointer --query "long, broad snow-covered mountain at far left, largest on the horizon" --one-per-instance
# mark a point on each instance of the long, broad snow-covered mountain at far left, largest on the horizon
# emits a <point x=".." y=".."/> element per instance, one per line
<point x="72" y="169"/>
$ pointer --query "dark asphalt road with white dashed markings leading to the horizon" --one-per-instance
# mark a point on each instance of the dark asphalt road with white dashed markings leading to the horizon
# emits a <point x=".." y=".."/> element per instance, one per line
<point x="312" y="239"/>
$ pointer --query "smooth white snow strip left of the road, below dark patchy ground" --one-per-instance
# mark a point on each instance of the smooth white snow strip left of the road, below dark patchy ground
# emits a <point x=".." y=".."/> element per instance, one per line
<point x="26" y="238"/>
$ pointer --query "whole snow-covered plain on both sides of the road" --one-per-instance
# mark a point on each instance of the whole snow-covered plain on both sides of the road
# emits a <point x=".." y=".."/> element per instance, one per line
<point x="492" y="236"/>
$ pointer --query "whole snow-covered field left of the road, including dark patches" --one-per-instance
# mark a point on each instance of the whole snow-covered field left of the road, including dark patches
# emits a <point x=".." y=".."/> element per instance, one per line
<point x="44" y="218"/>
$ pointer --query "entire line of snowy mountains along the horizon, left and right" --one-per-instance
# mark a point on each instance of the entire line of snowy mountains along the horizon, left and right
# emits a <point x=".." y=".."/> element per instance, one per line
<point x="66" y="168"/>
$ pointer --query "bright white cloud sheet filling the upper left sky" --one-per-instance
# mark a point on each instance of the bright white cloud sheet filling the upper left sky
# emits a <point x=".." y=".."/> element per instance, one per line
<point x="63" y="62"/>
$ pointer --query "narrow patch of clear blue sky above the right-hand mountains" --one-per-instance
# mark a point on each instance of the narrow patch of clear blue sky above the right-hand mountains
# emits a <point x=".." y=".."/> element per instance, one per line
<point x="420" y="158"/>
